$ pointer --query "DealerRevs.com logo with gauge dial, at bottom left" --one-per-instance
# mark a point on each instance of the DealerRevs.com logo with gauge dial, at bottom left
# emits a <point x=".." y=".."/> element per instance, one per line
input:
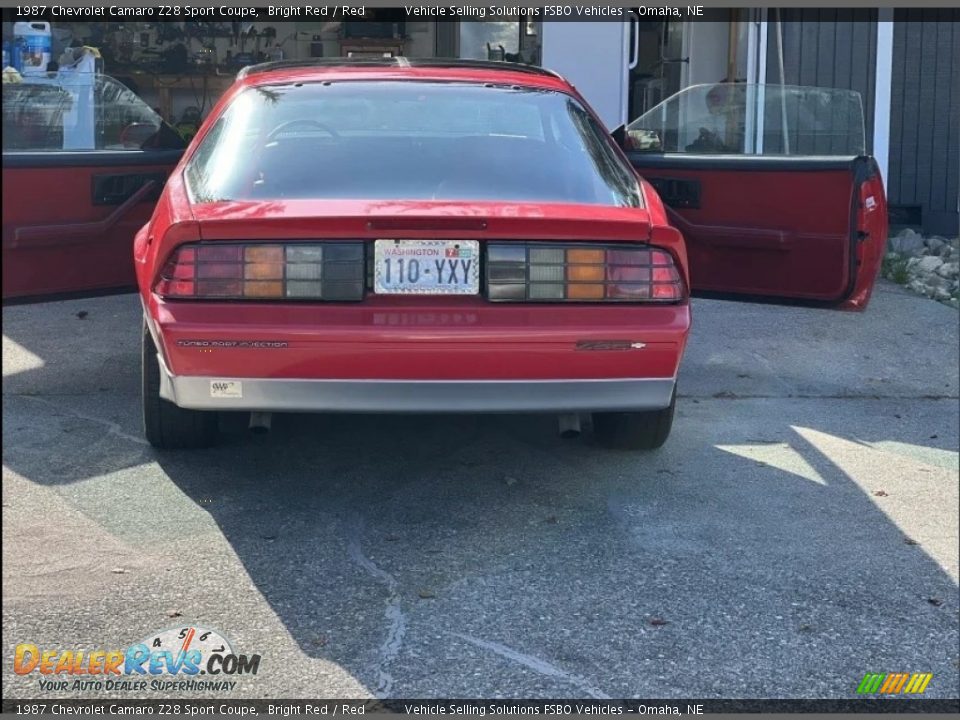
<point x="181" y="658"/>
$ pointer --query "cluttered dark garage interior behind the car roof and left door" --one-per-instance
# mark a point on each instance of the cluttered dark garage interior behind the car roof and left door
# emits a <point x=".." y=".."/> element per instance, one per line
<point x="181" y="69"/>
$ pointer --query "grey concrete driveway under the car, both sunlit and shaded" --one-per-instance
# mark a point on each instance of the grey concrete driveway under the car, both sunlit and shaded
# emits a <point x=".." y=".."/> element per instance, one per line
<point x="798" y="530"/>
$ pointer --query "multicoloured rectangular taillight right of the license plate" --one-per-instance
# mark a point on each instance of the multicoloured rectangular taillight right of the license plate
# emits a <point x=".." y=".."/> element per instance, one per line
<point x="541" y="272"/>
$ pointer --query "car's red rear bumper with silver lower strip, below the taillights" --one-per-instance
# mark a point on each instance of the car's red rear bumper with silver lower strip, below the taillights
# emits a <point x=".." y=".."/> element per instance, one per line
<point x="417" y="356"/>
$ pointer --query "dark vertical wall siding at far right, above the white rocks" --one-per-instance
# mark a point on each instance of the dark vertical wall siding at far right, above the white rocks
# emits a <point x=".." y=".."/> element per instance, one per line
<point x="924" y="166"/>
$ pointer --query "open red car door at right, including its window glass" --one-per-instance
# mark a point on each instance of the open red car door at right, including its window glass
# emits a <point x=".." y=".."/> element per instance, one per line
<point x="771" y="187"/>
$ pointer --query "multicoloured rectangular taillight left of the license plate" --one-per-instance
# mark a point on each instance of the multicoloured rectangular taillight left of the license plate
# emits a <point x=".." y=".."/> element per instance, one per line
<point x="246" y="271"/>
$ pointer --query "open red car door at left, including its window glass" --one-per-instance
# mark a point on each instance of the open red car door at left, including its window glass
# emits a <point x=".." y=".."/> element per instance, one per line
<point x="84" y="160"/>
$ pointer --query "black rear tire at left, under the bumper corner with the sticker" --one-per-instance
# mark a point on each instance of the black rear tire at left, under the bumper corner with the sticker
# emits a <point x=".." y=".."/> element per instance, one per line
<point x="167" y="426"/>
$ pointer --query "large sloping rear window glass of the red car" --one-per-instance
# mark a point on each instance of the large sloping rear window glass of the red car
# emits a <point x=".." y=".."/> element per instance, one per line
<point x="406" y="140"/>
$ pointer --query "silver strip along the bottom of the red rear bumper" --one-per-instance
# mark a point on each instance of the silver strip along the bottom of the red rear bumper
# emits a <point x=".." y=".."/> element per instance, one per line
<point x="416" y="396"/>
